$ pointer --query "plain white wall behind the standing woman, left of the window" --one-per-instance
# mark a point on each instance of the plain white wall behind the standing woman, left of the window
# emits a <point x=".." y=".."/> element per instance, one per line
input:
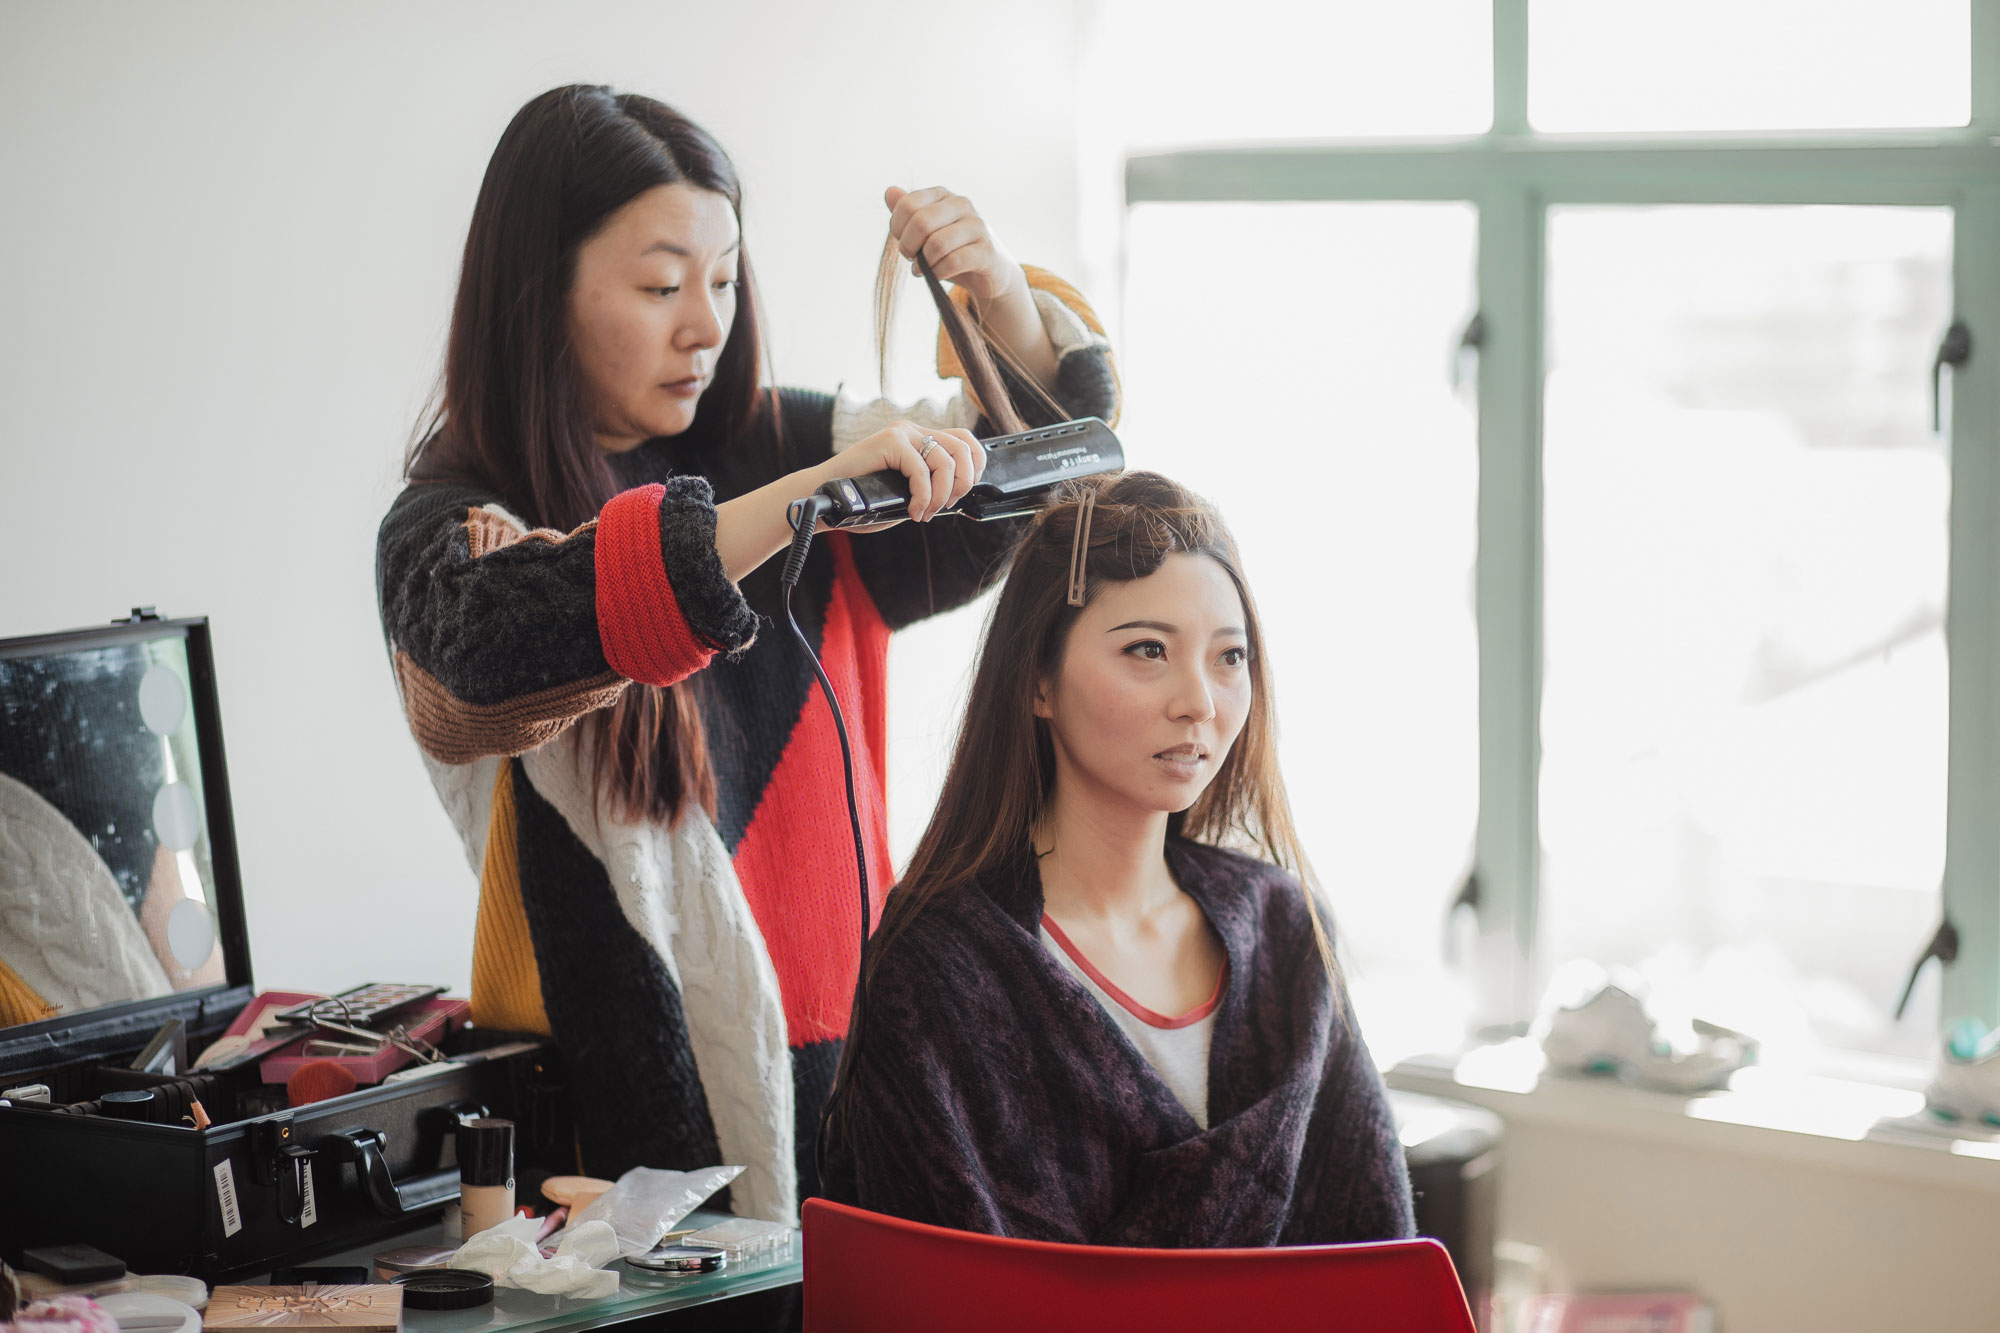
<point x="229" y="239"/>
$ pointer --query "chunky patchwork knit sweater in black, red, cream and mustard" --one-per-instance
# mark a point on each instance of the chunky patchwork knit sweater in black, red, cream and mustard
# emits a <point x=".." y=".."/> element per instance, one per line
<point x="697" y="978"/>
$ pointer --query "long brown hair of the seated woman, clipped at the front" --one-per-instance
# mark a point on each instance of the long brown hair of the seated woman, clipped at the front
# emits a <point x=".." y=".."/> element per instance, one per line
<point x="1003" y="774"/>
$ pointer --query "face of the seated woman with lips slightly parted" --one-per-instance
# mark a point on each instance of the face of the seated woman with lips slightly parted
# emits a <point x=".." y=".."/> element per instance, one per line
<point x="1153" y="692"/>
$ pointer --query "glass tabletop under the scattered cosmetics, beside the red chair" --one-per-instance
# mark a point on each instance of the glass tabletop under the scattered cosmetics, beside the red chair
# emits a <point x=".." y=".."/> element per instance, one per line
<point x="639" y="1294"/>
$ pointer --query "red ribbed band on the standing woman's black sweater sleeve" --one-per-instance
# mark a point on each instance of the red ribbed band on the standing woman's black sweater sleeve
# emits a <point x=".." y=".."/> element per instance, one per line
<point x="645" y="633"/>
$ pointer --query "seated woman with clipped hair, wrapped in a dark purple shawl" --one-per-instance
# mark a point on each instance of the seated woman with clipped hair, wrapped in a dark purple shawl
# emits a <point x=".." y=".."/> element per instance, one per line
<point x="1085" y="1018"/>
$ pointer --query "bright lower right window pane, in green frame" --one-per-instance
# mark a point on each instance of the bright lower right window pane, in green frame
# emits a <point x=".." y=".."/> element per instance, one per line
<point x="1745" y="700"/>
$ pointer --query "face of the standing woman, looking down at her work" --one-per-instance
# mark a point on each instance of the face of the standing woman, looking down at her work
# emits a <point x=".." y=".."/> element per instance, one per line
<point x="651" y="307"/>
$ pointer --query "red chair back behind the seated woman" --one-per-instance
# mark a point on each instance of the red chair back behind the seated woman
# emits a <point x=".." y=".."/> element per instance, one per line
<point x="891" y="1276"/>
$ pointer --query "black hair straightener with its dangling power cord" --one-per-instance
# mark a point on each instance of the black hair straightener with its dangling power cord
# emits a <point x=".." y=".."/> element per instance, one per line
<point x="1023" y="473"/>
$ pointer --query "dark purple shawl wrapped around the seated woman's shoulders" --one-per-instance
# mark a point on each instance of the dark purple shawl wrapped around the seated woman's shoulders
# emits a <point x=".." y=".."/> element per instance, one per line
<point x="993" y="1092"/>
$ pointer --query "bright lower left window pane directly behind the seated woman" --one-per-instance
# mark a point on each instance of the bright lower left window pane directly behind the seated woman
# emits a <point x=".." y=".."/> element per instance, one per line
<point x="1291" y="363"/>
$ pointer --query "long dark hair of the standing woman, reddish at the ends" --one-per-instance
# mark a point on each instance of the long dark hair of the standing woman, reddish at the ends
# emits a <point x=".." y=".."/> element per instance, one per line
<point x="511" y="415"/>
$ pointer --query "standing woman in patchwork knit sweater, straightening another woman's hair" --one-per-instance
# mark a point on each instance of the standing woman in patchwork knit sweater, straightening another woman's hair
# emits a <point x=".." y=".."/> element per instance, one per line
<point x="579" y="595"/>
